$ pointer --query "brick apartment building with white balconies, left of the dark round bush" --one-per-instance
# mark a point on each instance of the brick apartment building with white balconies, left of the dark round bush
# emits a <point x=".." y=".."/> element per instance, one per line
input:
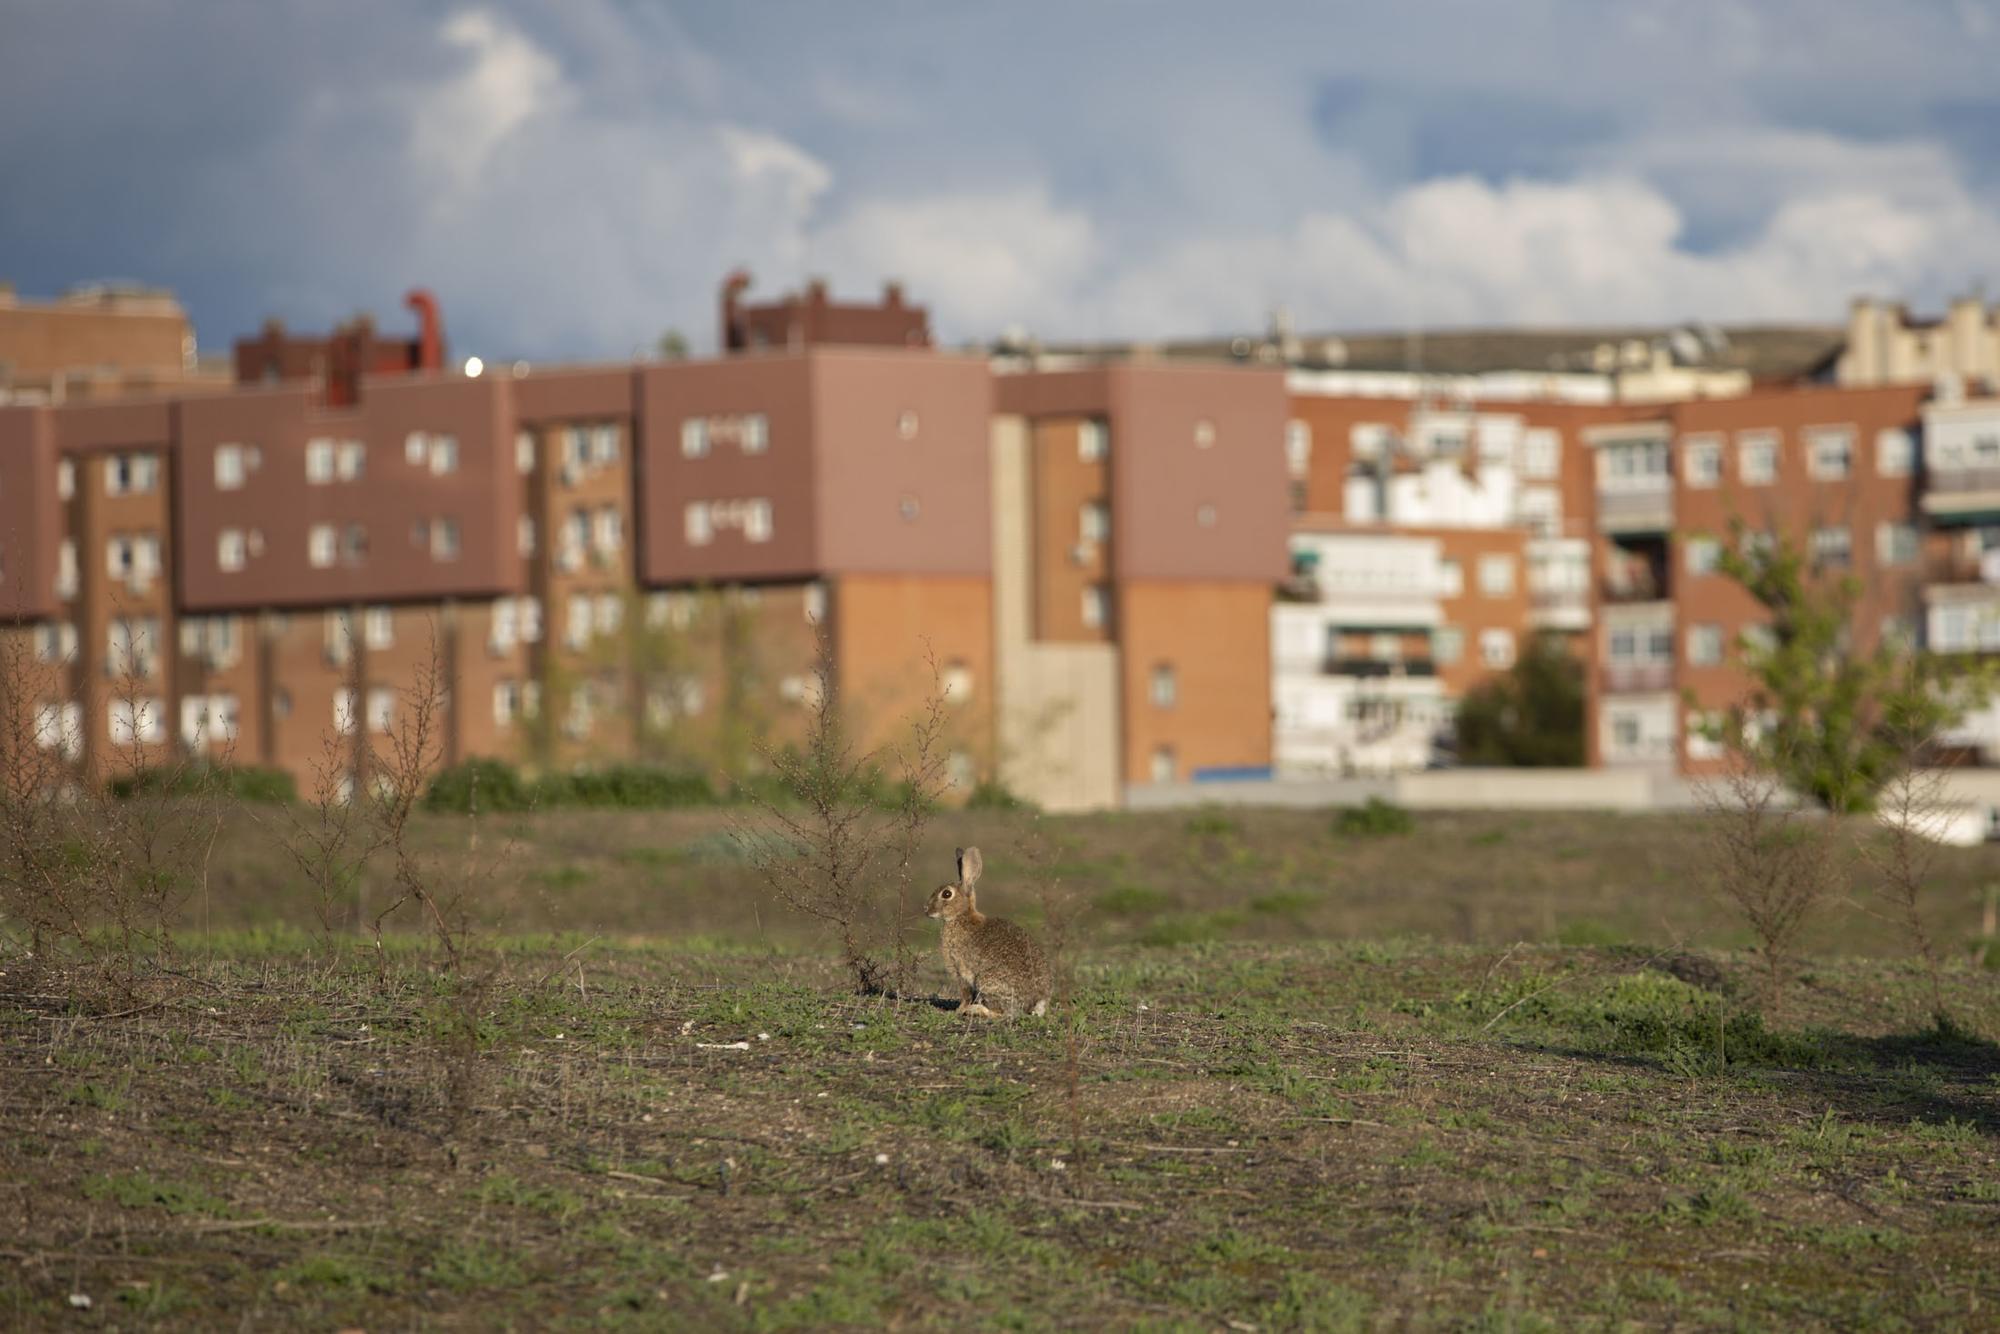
<point x="1501" y="503"/>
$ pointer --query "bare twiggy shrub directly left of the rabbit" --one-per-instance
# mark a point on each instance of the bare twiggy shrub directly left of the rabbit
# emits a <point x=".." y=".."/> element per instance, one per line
<point x="843" y="847"/>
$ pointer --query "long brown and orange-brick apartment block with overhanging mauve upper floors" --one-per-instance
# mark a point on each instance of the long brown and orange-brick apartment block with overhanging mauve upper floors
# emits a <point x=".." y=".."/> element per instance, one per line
<point x="643" y="561"/>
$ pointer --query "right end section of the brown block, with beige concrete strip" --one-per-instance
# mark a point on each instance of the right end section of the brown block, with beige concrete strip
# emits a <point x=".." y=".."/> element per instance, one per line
<point x="1139" y="535"/>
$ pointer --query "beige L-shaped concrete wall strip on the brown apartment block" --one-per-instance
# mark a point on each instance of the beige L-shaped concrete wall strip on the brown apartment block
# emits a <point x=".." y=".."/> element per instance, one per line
<point x="1057" y="705"/>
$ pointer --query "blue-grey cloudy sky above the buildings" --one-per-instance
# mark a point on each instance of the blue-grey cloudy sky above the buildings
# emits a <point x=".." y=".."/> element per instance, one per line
<point x="577" y="179"/>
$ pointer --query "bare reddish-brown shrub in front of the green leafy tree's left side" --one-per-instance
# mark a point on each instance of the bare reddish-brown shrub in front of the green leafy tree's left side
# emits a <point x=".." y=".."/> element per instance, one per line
<point x="1773" y="863"/>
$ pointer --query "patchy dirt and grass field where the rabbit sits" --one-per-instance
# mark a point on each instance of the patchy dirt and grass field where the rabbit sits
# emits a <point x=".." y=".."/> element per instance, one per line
<point x="687" y="1123"/>
